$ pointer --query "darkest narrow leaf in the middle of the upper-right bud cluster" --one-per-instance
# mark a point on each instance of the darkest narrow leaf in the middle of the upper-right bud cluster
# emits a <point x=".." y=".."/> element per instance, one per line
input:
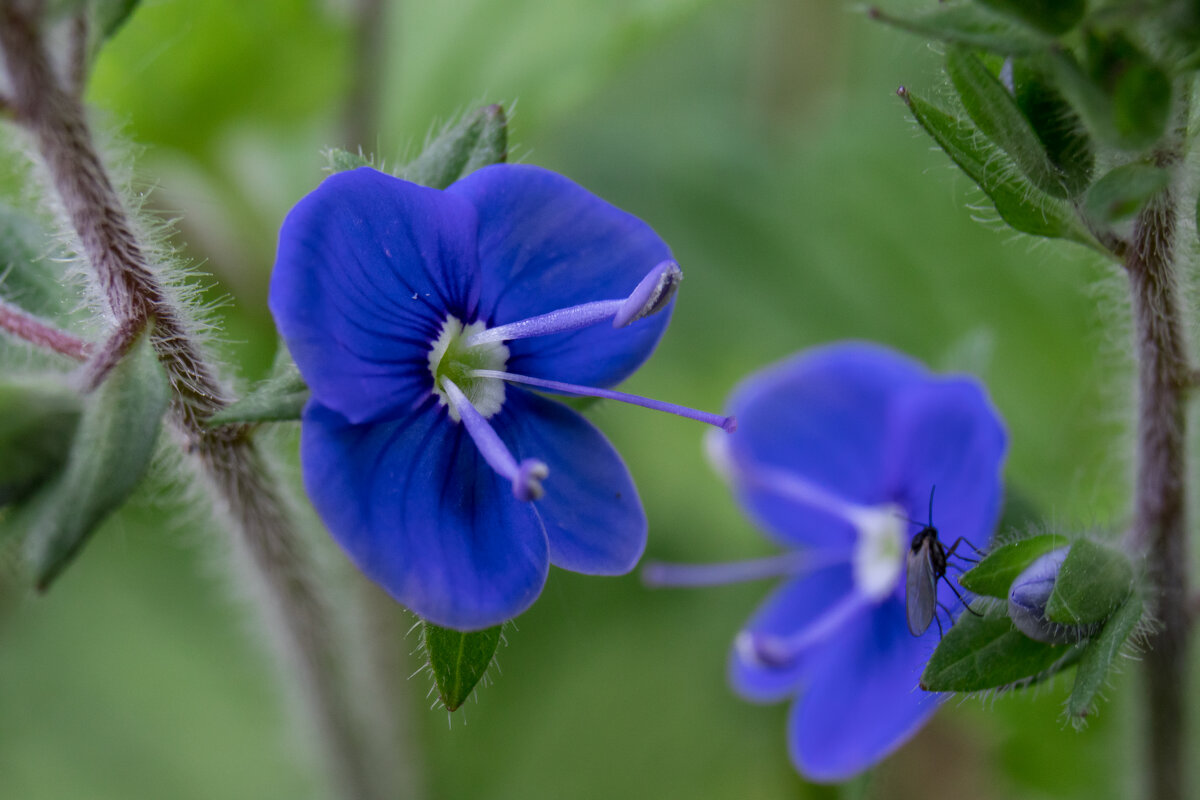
<point x="1060" y="129"/>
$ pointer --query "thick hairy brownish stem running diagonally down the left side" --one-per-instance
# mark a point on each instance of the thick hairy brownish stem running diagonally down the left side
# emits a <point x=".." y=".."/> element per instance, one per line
<point x="227" y="461"/>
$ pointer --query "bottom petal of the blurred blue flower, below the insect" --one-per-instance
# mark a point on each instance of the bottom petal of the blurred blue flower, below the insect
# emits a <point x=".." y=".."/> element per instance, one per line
<point x="863" y="702"/>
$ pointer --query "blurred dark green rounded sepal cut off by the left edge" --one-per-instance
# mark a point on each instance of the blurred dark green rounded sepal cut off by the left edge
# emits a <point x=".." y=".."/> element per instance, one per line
<point x="39" y="417"/>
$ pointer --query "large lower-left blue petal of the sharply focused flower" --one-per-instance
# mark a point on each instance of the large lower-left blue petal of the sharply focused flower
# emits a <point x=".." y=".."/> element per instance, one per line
<point x="419" y="512"/>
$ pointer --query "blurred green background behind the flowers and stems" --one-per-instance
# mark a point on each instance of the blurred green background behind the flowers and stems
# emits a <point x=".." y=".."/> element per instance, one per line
<point x="764" y="142"/>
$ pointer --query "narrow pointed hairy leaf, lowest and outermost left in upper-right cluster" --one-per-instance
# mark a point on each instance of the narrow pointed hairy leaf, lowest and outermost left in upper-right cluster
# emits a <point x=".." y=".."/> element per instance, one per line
<point x="1018" y="202"/>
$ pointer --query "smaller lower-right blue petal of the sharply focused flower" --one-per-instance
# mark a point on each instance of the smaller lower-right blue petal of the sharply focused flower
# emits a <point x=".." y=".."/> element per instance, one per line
<point x="593" y="516"/>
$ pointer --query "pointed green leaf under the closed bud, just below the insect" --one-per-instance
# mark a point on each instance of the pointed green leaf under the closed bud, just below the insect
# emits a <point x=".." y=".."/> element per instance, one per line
<point x="982" y="653"/>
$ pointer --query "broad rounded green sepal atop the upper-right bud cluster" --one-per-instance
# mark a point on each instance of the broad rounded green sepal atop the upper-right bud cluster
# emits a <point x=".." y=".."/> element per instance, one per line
<point x="1130" y="109"/>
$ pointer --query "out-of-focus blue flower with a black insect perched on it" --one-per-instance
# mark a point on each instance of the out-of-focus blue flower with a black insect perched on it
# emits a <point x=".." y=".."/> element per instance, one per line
<point x="837" y="452"/>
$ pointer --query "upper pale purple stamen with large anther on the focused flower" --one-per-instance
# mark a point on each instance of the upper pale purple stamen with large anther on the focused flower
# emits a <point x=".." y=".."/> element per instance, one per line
<point x="651" y="297"/>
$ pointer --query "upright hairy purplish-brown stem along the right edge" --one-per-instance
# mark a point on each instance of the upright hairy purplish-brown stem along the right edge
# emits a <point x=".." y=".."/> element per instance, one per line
<point x="1160" y="527"/>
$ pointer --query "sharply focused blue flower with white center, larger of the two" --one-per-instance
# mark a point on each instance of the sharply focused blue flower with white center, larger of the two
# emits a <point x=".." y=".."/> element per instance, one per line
<point x="422" y="320"/>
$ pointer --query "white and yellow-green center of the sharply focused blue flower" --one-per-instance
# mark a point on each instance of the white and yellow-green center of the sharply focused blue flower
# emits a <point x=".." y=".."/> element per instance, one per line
<point x="452" y="358"/>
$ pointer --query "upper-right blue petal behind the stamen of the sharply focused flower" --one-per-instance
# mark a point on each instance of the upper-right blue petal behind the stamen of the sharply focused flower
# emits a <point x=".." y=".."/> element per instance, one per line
<point x="545" y="244"/>
